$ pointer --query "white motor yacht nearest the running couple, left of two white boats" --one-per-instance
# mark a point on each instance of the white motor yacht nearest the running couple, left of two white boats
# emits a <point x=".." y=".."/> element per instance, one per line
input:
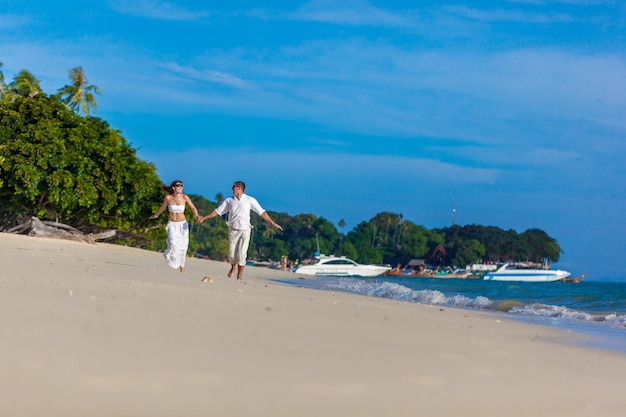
<point x="340" y="267"/>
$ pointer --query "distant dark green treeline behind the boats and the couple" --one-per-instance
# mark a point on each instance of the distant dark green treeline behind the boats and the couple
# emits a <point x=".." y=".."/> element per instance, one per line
<point x="385" y="238"/>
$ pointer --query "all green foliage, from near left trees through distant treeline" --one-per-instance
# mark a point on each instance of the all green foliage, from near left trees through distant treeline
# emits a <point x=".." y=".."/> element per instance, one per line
<point x="58" y="164"/>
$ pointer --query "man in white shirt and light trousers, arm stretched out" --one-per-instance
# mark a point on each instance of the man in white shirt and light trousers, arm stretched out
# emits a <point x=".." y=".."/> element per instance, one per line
<point x="238" y="208"/>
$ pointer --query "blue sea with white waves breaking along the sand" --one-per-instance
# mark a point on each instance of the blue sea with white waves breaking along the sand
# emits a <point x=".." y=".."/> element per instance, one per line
<point x="596" y="309"/>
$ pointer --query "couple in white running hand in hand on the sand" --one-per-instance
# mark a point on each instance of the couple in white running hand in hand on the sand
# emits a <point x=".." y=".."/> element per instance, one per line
<point x="237" y="207"/>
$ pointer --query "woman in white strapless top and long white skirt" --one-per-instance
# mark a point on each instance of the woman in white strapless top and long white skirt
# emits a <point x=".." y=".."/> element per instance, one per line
<point x="177" y="226"/>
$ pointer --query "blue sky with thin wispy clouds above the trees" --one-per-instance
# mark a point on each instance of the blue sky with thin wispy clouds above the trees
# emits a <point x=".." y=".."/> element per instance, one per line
<point x="512" y="112"/>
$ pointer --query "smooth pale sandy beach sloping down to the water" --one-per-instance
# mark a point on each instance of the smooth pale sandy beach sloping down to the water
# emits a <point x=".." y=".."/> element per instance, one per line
<point x="103" y="330"/>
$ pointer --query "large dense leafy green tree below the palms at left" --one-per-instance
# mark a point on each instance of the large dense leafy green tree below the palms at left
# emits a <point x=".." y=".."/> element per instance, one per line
<point x="58" y="165"/>
